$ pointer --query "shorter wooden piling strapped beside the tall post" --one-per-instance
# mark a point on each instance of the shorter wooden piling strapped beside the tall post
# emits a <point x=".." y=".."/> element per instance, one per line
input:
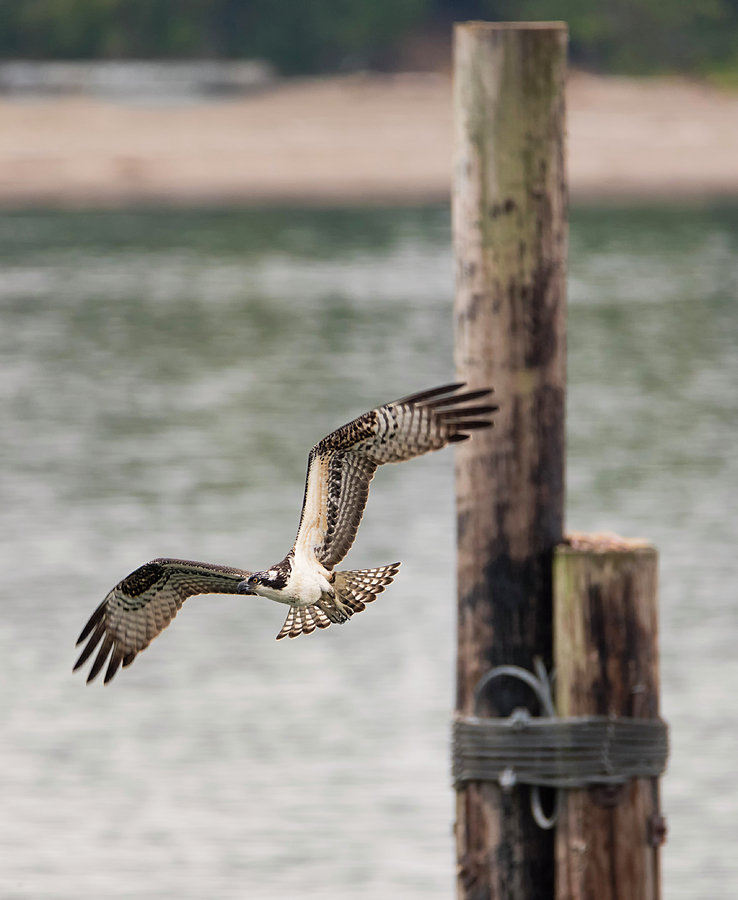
<point x="606" y="660"/>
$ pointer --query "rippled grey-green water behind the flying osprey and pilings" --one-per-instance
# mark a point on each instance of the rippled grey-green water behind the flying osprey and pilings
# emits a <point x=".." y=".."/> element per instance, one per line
<point x="162" y="377"/>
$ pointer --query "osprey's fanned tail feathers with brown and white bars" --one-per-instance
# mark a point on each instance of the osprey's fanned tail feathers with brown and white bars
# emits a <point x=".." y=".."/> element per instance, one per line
<point x="354" y="589"/>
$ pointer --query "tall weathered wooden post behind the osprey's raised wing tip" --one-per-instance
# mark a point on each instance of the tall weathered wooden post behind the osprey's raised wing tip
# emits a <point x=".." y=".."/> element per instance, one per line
<point x="510" y="242"/>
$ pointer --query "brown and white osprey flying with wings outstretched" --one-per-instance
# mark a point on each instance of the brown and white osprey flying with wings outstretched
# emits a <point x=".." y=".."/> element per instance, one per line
<point x="340" y="469"/>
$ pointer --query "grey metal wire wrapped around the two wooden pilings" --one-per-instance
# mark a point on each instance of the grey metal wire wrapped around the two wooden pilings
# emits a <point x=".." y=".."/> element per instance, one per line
<point x="548" y="751"/>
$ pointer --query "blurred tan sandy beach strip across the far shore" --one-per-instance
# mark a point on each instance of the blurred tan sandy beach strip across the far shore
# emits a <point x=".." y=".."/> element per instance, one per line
<point x="353" y="139"/>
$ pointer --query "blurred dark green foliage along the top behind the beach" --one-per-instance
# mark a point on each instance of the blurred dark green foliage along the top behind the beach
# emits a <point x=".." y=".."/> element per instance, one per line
<point x="303" y="36"/>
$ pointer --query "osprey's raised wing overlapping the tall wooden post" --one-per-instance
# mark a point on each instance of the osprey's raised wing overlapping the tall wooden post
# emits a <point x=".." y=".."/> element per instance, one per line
<point x="343" y="464"/>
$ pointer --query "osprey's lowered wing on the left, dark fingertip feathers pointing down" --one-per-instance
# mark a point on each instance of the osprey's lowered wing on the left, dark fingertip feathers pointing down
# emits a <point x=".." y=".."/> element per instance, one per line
<point x="143" y="604"/>
